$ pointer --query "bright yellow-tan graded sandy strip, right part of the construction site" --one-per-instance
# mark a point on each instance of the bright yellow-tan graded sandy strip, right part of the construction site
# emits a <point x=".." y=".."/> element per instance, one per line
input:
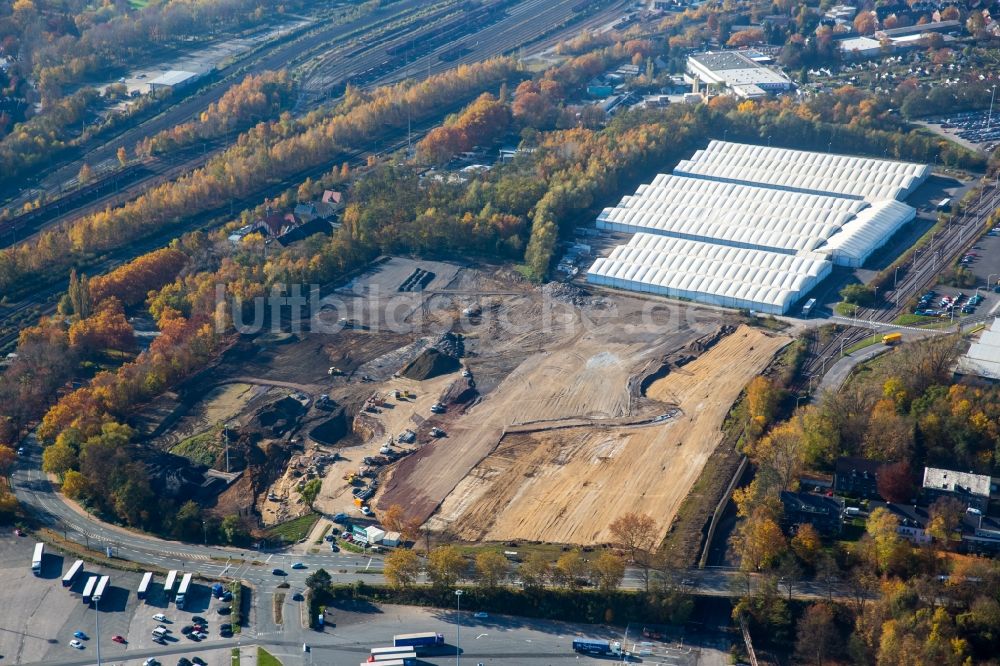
<point x="567" y="485"/>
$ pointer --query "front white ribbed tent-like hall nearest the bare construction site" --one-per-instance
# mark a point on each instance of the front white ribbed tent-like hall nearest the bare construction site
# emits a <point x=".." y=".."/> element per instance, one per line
<point x="710" y="273"/>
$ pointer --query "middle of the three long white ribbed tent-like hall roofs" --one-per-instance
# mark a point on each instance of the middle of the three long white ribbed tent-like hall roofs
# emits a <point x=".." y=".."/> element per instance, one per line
<point x="733" y="214"/>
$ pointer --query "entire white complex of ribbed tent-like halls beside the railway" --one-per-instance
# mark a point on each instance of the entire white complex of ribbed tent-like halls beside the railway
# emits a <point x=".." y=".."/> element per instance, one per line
<point x="754" y="227"/>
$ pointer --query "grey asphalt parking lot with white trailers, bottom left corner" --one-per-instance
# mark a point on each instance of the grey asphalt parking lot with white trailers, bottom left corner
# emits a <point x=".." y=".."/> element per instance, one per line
<point x="39" y="616"/>
